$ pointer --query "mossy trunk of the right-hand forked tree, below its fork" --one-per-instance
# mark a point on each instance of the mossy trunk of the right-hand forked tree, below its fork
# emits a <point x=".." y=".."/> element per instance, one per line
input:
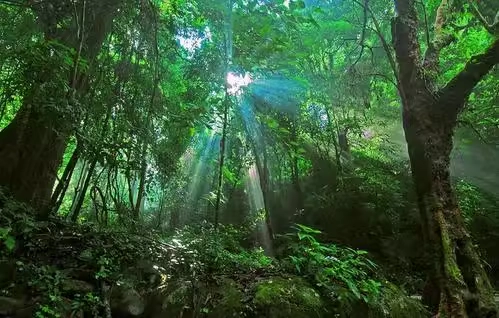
<point x="455" y="270"/>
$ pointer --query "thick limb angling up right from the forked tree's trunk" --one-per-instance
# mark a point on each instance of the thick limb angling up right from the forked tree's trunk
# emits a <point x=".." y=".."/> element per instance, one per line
<point x="457" y="91"/>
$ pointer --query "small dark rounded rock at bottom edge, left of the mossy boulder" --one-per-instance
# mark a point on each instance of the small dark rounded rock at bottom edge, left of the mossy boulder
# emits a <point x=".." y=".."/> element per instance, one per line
<point x="126" y="301"/>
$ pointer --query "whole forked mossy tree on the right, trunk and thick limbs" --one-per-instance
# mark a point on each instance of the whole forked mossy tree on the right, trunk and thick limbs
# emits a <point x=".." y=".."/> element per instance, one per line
<point x="430" y="115"/>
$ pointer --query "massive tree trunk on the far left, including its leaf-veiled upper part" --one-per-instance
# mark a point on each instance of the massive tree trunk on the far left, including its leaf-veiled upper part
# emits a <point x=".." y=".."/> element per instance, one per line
<point x="33" y="144"/>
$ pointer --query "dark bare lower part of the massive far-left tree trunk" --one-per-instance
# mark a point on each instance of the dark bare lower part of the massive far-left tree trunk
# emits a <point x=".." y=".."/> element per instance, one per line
<point x="31" y="150"/>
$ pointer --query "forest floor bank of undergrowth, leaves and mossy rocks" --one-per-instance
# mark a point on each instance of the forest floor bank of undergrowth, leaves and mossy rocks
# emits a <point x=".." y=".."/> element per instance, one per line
<point x="57" y="269"/>
